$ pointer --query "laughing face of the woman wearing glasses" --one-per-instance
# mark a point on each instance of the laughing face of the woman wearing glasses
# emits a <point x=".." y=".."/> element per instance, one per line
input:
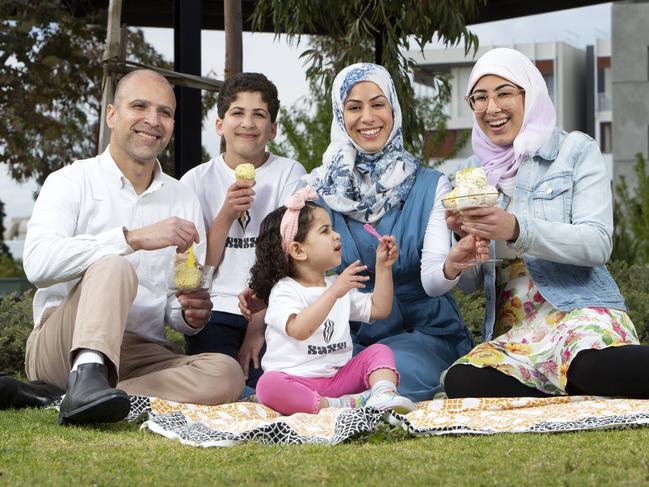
<point x="500" y="125"/>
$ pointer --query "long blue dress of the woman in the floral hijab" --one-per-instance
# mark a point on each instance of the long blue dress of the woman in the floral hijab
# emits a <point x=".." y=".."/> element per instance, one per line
<point x="425" y="333"/>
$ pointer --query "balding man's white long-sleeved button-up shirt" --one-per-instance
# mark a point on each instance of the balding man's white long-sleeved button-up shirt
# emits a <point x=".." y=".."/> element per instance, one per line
<point x="79" y="217"/>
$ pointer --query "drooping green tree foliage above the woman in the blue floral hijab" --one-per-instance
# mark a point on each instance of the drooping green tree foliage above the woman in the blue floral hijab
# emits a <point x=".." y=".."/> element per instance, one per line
<point x="378" y="31"/>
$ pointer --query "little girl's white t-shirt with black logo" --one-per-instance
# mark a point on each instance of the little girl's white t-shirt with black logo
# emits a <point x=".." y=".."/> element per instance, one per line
<point x="329" y="348"/>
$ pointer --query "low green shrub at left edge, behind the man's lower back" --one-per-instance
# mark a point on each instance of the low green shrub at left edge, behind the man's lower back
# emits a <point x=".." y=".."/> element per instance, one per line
<point x="16" y="323"/>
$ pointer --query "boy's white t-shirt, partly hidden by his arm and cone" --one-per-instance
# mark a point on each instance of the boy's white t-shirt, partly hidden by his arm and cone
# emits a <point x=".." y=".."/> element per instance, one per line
<point x="277" y="179"/>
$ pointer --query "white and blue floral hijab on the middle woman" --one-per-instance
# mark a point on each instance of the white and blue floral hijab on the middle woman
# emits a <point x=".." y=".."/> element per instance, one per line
<point x="357" y="184"/>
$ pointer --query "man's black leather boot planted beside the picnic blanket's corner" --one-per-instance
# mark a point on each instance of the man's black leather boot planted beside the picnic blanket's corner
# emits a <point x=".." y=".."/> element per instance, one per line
<point x="90" y="399"/>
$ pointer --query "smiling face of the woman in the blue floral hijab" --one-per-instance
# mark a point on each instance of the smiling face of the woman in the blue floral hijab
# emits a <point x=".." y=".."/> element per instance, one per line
<point x="368" y="116"/>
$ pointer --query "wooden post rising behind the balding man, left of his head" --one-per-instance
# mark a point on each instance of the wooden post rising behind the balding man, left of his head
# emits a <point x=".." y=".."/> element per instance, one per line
<point x="113" y="50"/>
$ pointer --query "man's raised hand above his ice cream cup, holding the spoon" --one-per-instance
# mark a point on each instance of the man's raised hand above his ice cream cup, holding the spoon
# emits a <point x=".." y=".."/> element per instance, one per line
<point x="172" y="232"/>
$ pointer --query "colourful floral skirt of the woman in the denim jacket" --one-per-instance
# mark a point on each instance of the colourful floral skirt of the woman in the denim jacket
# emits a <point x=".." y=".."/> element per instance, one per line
<point x="535" y="343"/>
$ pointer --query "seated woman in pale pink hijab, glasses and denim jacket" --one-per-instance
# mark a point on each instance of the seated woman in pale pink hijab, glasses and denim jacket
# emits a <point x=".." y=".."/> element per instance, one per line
<point x="555" y="320"/>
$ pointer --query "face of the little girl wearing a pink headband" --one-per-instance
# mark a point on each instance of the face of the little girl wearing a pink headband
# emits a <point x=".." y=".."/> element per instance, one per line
<point x="321" y="246"/>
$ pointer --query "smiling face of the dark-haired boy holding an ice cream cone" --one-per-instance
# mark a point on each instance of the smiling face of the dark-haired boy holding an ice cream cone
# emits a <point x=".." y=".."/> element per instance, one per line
<point x="246" y="127"/>
